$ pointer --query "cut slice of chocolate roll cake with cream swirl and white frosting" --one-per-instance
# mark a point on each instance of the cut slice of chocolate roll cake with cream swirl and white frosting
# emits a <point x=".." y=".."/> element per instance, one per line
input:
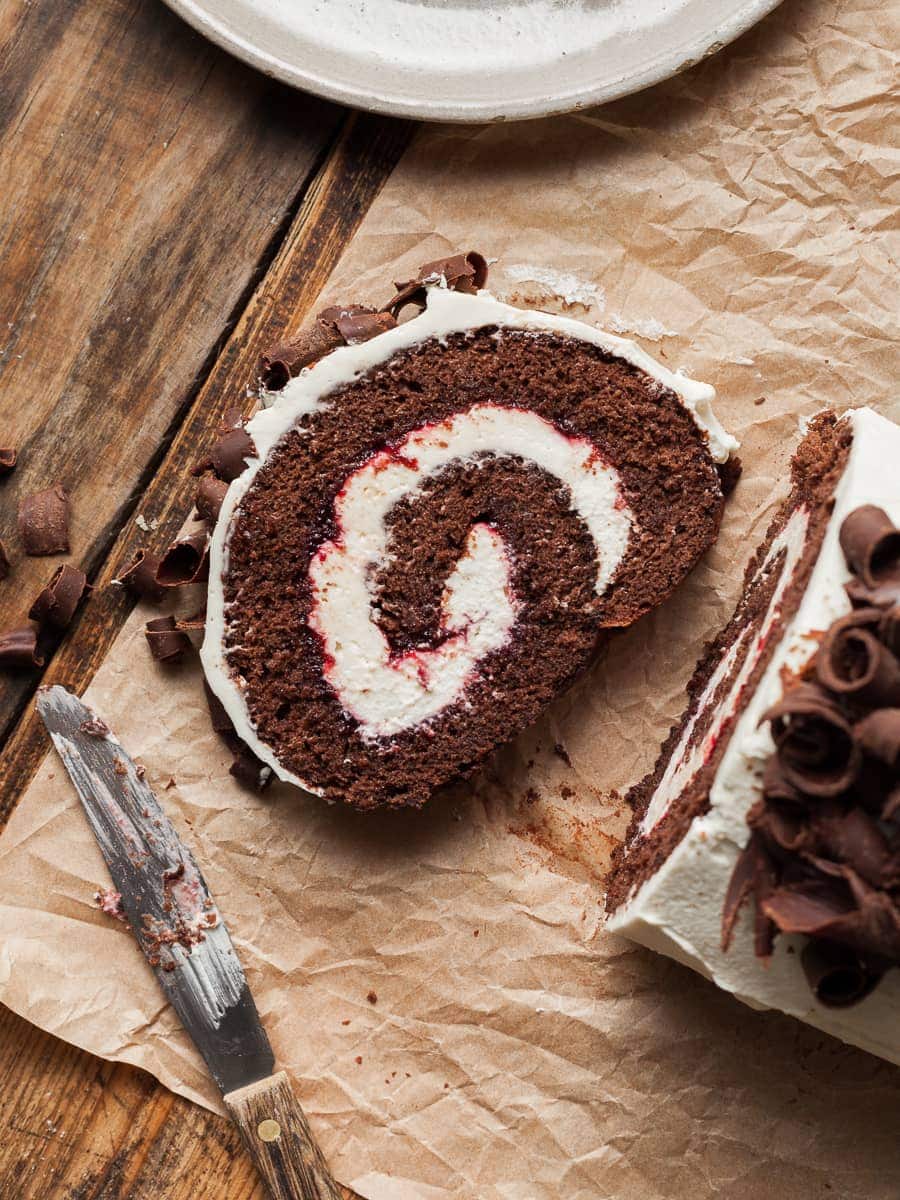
<point x="437" y="530"/>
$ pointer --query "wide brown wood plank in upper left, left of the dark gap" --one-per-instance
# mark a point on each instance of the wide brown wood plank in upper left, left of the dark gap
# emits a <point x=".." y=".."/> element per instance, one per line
<point x="146" y="179"/>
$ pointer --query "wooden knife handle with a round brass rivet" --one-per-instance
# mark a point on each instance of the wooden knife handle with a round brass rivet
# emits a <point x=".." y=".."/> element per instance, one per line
<point x="280" y="1142"/>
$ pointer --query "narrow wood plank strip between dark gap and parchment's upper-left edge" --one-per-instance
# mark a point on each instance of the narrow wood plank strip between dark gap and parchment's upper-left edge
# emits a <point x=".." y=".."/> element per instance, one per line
<point x="329" y="215"/>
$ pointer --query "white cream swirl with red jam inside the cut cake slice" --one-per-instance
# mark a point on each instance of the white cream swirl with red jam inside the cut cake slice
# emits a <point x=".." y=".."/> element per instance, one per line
<point x="387" y="692"/>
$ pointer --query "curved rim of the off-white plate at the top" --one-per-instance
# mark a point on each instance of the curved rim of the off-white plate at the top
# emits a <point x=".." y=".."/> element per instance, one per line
<point x="747" y="14"/>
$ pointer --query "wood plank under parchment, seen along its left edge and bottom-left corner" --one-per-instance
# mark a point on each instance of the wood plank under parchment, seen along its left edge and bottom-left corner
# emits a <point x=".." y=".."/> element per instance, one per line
<point x="124" y="1136"/>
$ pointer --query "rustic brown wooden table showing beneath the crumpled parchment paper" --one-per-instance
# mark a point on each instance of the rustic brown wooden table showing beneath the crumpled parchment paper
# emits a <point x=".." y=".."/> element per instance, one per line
<point x="165" y="214"/>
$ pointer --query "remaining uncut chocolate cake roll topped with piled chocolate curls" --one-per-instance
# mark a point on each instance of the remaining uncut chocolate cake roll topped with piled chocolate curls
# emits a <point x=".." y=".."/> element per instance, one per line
<point x="765" y="848"/>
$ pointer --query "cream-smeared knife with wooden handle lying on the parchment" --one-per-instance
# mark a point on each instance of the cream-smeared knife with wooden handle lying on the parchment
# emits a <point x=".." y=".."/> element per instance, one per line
<point x="181" y="931"/>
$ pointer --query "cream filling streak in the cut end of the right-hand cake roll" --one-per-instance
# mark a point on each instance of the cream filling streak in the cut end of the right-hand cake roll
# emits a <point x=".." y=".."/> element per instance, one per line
<point x="687" y="760"/>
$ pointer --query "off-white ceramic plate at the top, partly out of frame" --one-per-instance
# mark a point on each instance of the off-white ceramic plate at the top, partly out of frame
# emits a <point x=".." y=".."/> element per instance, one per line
<point x="472" y="61"/>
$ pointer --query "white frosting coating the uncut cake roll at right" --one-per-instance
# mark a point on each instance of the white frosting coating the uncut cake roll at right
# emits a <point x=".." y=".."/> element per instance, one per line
<point x="679" y="910"/>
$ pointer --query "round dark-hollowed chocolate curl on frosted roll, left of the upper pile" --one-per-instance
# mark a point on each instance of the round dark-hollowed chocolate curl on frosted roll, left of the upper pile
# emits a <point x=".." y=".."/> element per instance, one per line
<point x="817" y="747"/>
